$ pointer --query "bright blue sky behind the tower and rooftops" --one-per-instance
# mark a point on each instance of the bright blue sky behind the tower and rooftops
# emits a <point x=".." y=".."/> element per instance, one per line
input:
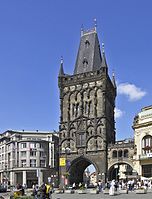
<point x="34" y="34"/>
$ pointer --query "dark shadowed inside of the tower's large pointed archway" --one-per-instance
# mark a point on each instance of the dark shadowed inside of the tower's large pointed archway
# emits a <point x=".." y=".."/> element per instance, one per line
<point x="77" y="170"/>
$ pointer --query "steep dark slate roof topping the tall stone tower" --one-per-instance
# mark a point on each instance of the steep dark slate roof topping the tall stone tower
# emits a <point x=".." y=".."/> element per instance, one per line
<point x="89" y="55"/>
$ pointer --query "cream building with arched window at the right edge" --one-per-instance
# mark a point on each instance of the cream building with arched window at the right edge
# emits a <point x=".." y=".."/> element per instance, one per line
<point x="143" y="142"/>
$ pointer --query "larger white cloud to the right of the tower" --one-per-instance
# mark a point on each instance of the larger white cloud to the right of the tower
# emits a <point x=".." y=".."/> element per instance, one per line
<point x="133" y="92"/>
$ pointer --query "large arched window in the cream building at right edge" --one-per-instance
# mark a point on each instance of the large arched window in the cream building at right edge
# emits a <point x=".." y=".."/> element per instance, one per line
<point x="147" y="144"/>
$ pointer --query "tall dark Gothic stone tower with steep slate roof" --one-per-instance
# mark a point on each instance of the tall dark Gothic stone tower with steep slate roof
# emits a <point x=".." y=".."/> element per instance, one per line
<point x="87" y="101"/>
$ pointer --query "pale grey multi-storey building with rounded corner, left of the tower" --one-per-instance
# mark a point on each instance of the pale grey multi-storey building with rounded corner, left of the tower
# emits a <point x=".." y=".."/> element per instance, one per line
<point x="28" y="157"/>
